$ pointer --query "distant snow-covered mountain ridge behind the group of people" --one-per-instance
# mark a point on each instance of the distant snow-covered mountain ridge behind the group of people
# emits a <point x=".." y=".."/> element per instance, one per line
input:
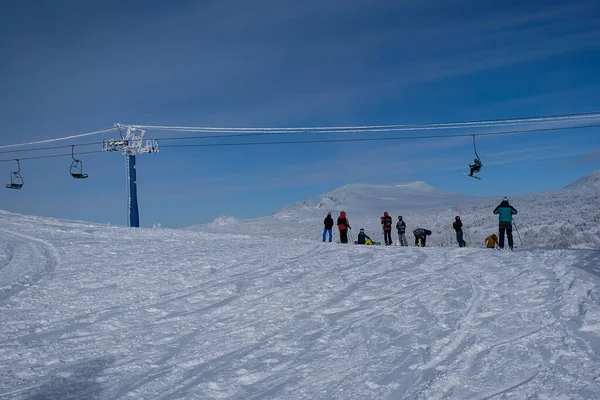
<point x="566" y="218"/>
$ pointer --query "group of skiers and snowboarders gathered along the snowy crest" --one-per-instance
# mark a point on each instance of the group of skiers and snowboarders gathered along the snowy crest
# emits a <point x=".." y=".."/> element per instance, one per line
<point x="504" y="210"/>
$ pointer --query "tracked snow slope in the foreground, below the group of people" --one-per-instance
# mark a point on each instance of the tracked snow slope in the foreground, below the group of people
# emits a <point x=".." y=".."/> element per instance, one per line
<point x="114" y="313"/>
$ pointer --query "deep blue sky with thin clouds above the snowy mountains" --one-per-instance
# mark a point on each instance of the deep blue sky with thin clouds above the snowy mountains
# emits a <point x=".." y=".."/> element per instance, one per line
<point x="71" y="67"/>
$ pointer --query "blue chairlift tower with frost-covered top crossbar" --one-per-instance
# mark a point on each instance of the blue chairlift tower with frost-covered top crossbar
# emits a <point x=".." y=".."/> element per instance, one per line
<point x="131" y="145"/>
